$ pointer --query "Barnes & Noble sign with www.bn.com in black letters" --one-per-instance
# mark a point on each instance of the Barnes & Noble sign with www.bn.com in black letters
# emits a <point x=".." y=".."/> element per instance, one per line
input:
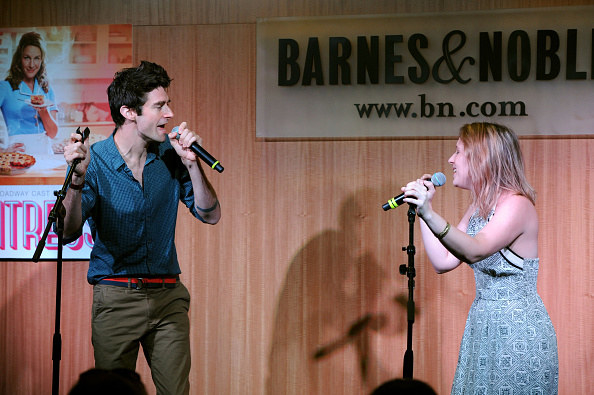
<point x="426" y="75"/>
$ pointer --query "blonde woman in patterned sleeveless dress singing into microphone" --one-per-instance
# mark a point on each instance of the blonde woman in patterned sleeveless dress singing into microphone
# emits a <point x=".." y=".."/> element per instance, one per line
<point x="509" y="342"/>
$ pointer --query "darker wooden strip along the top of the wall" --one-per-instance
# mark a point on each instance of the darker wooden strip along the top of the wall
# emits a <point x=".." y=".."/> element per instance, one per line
<point x="192" y="12"/>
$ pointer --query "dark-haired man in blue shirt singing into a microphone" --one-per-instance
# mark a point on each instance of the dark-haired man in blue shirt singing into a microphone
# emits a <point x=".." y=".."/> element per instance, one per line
<point x="128" y="187"/>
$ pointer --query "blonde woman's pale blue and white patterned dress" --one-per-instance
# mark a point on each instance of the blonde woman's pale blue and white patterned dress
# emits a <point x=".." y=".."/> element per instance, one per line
<point x="509" y="345"/>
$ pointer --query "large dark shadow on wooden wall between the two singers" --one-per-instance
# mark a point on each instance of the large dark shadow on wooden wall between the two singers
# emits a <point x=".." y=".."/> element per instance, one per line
<point x="336" y="298"/>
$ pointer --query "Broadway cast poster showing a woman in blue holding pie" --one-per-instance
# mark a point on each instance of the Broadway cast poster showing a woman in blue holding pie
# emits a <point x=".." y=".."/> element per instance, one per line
<point x="55" y="84"/>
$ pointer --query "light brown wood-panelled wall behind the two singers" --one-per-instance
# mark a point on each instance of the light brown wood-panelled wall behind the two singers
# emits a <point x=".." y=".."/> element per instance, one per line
<point x="303" y="253"/>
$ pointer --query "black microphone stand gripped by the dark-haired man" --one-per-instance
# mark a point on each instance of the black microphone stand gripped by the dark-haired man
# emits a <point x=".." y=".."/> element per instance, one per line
<point x="56" y="216"/>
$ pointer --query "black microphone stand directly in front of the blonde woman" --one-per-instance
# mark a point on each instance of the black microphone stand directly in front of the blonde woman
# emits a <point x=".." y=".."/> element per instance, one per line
<point x="410" y="272"/>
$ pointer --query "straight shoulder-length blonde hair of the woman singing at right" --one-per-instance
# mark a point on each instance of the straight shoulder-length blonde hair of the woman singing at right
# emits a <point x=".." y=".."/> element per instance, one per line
<point x="495" y="164"/>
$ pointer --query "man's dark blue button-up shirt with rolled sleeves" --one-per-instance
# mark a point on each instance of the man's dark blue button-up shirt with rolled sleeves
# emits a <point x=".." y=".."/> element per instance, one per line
<point x="133" y="226"/>
